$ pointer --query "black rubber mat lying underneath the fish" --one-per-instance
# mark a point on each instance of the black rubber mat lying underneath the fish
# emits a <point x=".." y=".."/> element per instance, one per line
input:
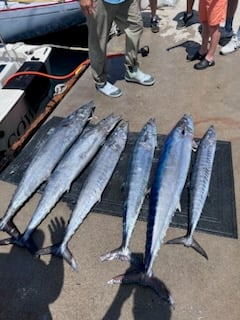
<point x="218" y="216"/>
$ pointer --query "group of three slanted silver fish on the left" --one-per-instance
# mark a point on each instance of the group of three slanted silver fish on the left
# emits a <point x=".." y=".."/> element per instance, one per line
<point x="59" y="161"/>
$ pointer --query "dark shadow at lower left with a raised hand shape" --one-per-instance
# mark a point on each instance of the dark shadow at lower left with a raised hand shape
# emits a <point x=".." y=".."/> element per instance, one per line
<point x="27" y="284"/>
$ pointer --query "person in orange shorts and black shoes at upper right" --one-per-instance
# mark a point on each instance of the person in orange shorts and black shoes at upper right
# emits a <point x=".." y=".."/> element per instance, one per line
<point x="211" y="14"/>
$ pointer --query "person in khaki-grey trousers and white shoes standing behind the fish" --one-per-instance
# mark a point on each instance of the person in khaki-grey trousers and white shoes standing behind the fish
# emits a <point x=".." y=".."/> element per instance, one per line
<point x="100" y="15"/>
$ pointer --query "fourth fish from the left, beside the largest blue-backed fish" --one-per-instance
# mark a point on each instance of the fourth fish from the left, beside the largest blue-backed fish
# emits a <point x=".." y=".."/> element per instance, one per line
<point x="136" y="187"/>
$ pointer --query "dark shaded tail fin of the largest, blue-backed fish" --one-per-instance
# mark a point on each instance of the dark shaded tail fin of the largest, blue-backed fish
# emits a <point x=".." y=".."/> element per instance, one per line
<point x="142" y="279"/>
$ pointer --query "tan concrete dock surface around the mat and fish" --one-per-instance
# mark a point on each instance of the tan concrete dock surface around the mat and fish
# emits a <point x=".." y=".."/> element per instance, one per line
<point x="47" y="288"/>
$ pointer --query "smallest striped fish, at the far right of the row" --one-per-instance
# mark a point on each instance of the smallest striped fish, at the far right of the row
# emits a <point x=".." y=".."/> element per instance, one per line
<point x="199" y="187"/>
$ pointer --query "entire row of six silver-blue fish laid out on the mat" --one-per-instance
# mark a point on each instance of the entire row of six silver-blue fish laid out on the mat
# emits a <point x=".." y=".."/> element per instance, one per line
<point x="74" y="144"/>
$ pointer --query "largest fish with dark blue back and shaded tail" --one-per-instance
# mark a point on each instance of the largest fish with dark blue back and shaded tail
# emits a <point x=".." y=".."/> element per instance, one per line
<point x="167" y="186"/>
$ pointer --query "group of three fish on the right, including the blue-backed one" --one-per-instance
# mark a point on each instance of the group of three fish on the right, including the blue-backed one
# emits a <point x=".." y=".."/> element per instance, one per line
<point x="166" y="189"/>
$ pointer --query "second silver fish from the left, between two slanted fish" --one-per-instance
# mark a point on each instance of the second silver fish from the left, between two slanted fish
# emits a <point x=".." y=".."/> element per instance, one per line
<point x="70" y="166"/>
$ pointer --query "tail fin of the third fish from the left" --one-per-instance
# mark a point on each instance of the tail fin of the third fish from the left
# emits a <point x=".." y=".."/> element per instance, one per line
<point x="59" y="251"/>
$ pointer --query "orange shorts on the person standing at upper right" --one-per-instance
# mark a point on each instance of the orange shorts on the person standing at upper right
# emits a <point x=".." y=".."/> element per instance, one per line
<point x="212" y="11"/>
